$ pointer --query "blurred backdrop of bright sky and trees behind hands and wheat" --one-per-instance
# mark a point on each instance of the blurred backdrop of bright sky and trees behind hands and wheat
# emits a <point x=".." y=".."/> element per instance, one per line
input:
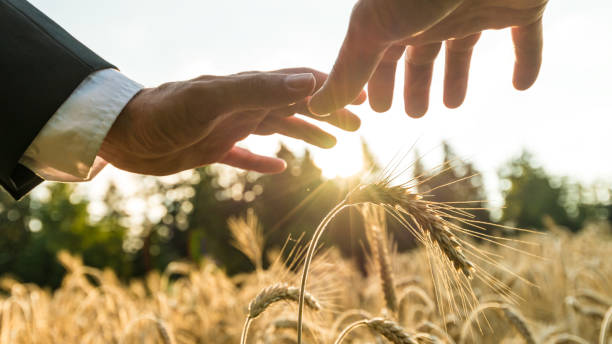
<point x="539" y="154"/>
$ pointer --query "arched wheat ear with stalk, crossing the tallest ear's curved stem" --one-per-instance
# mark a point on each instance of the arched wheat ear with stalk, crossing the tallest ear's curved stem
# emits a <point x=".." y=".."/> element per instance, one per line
<point x="274" y="293"/>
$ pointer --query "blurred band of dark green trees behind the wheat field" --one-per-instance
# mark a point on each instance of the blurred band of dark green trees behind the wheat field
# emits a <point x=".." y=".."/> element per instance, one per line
<point x="186" y="217"/>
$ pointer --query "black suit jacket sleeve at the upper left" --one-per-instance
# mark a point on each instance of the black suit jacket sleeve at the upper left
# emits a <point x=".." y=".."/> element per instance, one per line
<point x="40" y="66"/>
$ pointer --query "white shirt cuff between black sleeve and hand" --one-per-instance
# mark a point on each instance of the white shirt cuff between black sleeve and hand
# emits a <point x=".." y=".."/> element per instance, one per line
<point x="66" y="148"/>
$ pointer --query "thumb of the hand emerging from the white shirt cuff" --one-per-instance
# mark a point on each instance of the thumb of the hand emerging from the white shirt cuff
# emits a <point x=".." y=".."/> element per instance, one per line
<point x="266" y="90"/>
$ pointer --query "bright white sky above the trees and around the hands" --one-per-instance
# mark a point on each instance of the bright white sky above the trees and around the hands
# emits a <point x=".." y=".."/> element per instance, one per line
<point x="565" y="119"/>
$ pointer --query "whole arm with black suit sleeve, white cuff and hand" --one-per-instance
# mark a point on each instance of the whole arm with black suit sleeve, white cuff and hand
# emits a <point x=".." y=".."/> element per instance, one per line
<point x="66" y="112"/>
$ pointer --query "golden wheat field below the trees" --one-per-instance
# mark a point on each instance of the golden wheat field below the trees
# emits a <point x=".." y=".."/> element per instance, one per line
<point x="558" y="290"/>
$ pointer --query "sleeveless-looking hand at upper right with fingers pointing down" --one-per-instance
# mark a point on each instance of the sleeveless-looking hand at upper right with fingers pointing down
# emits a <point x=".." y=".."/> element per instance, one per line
<point x="381" y="31"/>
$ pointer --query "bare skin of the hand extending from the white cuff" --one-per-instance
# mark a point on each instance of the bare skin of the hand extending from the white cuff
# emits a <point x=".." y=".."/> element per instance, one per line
<point x="186" y="124"/>
